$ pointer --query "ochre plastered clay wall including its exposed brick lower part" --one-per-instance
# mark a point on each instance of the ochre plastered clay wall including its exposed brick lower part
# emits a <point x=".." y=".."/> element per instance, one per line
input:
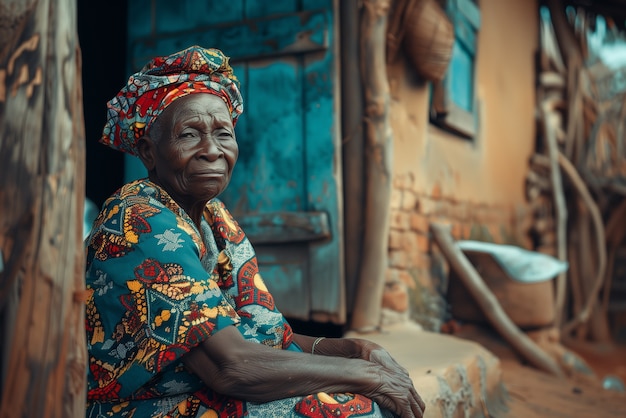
<point x="476" y="186"/>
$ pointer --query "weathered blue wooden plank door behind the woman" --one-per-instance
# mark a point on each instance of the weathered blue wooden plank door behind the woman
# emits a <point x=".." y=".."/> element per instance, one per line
<point x="285" y="190"/>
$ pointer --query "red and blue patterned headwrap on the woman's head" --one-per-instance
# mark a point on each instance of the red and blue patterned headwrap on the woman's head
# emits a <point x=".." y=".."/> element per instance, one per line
<point x="160" y="82"/>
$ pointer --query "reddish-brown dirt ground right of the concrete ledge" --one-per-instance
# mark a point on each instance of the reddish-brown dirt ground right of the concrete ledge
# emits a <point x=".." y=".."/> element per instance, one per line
<point x="532" y="393"/>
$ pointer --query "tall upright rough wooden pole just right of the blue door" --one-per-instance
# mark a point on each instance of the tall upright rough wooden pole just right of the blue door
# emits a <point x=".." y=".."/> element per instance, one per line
<point x="378" y="149"/>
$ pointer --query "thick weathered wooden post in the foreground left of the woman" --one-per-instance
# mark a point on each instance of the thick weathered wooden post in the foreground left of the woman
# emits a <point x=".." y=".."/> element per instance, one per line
<point x="42" y="184"/>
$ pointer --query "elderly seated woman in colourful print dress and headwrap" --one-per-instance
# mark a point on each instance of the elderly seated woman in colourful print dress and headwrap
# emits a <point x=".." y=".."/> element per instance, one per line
<point x="179" y="321"/>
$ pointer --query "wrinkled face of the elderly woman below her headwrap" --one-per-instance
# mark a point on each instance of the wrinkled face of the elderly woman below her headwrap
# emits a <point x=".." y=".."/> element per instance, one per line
<point x="196" y="149"/>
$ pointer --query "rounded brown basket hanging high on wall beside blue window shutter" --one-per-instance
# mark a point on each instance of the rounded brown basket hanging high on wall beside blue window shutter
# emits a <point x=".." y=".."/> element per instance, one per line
<point x="428" y="38"/>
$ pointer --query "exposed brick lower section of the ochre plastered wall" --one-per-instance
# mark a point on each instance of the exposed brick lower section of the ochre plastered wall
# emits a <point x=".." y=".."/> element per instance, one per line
<point x="416" y="279"/>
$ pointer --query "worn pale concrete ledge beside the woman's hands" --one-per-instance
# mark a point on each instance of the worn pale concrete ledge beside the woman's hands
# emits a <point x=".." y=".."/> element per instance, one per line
<point x="454" y="377"/>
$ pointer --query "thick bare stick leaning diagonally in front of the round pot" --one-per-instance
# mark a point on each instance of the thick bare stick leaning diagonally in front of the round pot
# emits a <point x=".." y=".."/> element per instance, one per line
<point x="489" y="304"/>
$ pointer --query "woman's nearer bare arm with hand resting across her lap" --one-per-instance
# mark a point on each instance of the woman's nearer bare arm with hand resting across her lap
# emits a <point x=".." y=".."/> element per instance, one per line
<point x="230" y="365"/>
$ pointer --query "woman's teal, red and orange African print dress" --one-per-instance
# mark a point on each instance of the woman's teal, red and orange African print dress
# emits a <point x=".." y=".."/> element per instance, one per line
<point x="157" y="288"/>
